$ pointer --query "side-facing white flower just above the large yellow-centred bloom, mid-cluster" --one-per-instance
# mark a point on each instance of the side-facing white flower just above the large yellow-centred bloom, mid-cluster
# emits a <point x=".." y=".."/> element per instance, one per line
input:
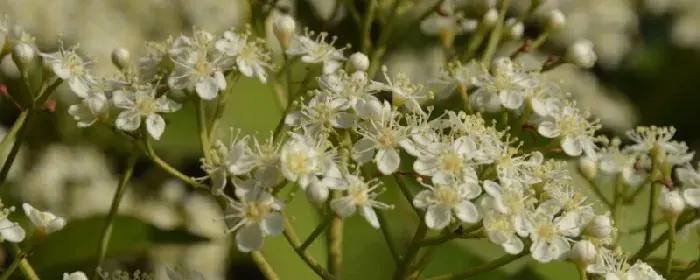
<point x="320" y="115"/>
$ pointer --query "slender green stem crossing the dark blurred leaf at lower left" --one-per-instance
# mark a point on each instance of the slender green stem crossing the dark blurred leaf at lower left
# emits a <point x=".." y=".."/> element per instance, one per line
<point x="114" y="209"/>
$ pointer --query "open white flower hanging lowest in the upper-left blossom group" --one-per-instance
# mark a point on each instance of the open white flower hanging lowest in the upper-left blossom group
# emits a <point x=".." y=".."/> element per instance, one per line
<point x="142" y="103"/>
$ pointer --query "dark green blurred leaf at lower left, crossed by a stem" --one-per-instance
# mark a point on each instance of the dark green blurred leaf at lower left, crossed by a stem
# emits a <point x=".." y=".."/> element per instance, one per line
<point x="78" y="241"/>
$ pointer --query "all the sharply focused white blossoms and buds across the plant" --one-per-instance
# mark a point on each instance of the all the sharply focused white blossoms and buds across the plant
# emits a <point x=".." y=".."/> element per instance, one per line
<point x="474" y="173"/>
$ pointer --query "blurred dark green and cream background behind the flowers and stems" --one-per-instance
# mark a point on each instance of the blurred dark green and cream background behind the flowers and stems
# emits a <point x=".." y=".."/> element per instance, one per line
<point x="648" y="72"/>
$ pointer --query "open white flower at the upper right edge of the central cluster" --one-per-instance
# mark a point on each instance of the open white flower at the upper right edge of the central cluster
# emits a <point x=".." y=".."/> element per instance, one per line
<point x="572" y="128"/>
